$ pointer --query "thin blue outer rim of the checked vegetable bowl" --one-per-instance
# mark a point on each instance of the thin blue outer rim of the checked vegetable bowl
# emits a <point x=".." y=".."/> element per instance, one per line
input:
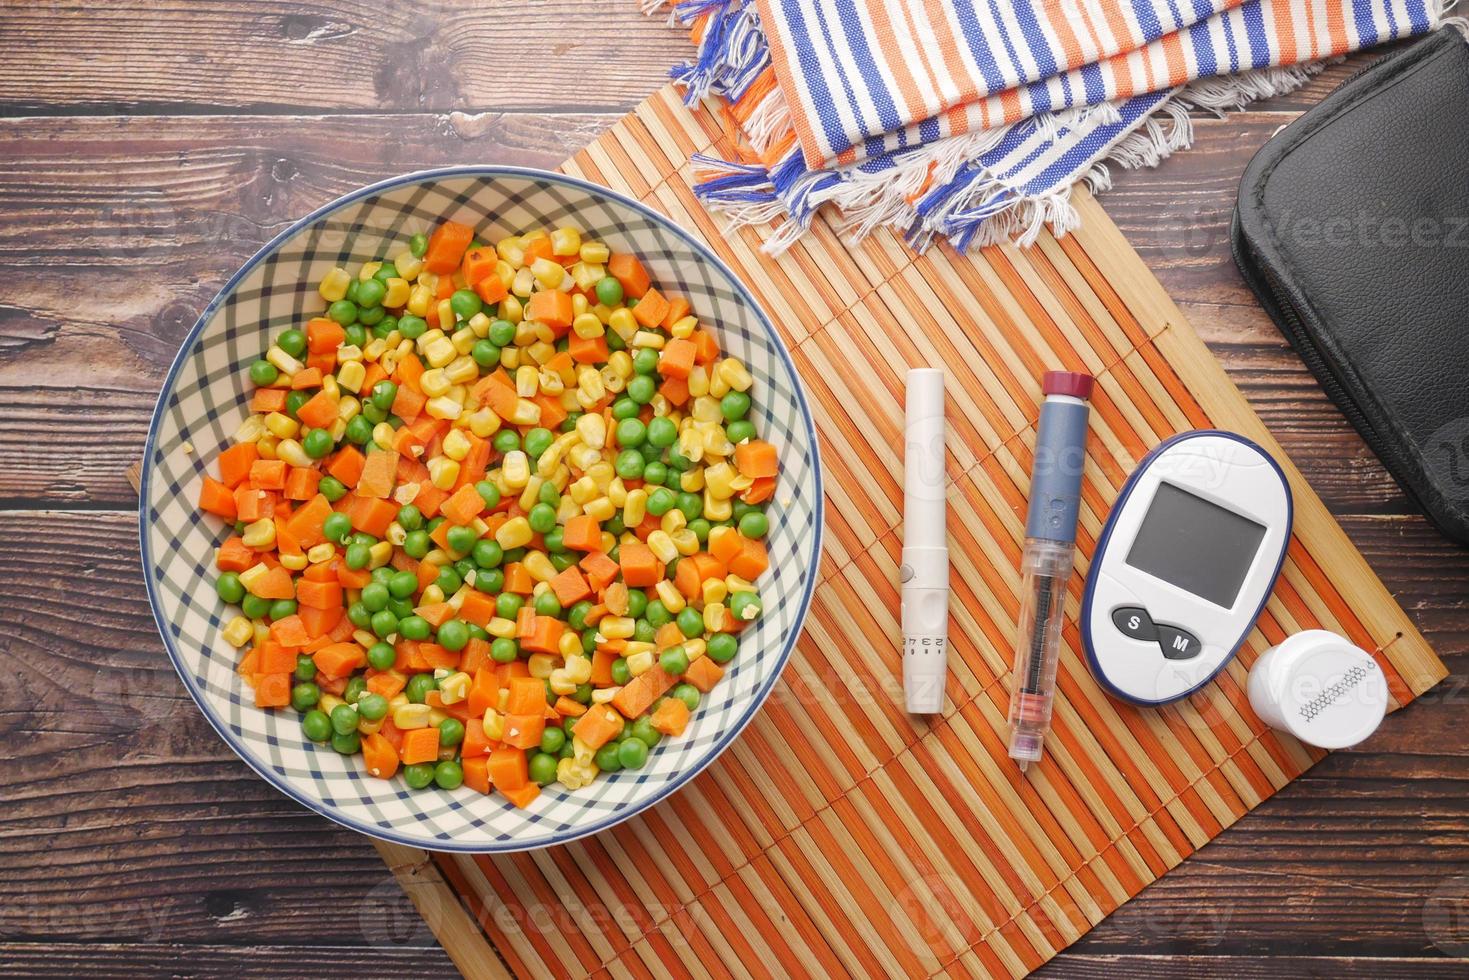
<point x="490" y="173"/>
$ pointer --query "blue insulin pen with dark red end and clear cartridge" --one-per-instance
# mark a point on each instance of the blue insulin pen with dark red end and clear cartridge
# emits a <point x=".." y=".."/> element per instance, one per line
<point x="1051" y="533"/>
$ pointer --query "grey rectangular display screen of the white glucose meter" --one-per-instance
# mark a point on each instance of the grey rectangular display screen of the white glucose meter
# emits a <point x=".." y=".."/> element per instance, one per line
<point x="1197" y="546"/>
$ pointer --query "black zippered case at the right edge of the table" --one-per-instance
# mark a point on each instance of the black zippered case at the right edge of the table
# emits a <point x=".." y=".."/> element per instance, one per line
<point x="1354" y="231"/>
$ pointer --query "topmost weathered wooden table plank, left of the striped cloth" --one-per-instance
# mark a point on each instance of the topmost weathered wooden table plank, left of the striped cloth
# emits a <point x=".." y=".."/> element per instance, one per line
<point x="180" y="57"/>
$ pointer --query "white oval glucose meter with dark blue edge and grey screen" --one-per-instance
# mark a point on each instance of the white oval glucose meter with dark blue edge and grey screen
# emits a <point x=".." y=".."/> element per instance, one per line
<point x="1185" y="565"/>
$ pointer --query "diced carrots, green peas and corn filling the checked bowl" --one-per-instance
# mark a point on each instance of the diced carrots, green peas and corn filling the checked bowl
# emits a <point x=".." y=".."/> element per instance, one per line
<point x="497" y="515"/>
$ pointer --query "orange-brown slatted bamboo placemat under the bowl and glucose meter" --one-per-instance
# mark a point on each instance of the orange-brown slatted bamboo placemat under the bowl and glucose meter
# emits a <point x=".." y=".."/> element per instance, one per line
<point x="841" y="835"/>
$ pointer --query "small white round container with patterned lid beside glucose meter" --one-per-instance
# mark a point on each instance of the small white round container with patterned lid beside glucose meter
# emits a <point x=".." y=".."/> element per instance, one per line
<point x="1320" y="688"/>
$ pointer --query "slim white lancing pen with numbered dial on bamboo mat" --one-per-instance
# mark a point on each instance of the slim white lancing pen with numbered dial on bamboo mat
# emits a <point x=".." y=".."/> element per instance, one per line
<point x="926" y="546"/>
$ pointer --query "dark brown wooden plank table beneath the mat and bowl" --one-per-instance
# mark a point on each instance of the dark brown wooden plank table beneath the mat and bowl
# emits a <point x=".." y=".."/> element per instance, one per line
<point x="152" y="148"/>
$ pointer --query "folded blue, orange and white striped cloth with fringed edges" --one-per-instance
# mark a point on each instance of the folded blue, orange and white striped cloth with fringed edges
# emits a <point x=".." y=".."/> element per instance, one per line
<point x="973" y="120"/>
